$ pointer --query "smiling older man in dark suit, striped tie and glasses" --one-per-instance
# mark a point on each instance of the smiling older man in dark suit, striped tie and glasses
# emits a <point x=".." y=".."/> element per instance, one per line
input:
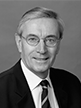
<point x="38" y="40"/>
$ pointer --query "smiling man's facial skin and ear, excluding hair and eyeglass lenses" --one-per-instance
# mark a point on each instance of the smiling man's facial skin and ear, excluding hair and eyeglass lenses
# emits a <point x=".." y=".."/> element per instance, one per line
<point x="38" y="58"/>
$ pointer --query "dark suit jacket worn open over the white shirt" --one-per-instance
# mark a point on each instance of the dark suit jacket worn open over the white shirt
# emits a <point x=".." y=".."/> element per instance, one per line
<point x="15" y="92"/>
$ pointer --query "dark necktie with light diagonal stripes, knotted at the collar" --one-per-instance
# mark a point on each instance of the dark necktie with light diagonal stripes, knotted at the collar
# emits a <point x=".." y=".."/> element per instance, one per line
<point x="44" y="97"/>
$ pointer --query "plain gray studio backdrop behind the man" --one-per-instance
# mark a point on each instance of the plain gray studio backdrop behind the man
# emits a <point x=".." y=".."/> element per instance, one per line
<point x="69" y="57"/>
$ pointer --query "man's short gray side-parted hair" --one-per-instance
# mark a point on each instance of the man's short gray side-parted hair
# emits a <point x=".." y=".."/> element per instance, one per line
<point x="40" y="12"/>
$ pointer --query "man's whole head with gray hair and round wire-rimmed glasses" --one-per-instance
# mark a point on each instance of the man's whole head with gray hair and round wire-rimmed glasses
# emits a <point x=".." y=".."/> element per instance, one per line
<point x="38" y="39"/>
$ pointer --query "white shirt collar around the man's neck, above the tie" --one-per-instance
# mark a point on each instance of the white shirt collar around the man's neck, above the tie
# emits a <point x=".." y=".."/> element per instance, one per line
<point x="32" y="79"/>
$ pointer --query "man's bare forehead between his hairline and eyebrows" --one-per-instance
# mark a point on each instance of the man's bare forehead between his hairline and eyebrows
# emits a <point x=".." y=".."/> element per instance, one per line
<point x="41" y="26"/>
